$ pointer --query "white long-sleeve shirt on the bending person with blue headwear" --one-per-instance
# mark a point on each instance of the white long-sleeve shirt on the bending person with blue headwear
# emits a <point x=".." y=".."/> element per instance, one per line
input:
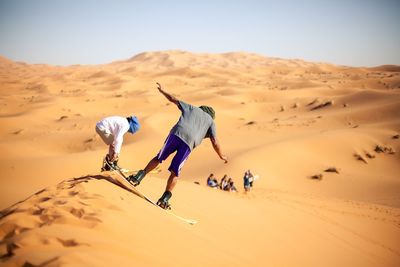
<point x="117" y="126"/>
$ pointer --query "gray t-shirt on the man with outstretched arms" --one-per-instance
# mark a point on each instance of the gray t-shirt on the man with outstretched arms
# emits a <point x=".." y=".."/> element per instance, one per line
<point x="194" y="125"/>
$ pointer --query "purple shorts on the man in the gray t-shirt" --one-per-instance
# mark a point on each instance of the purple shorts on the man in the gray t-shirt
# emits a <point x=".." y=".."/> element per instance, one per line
<point x="174" y="143"/>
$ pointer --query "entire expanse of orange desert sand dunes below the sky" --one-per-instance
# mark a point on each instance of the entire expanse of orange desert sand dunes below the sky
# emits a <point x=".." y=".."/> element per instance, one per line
<point x="289" y="121"/>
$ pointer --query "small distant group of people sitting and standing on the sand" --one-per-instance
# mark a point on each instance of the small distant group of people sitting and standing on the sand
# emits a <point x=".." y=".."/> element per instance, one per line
<point x="227" y="183"/>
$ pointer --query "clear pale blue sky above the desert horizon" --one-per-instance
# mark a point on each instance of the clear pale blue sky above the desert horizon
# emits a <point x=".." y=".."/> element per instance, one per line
<point x="346" y="32"/>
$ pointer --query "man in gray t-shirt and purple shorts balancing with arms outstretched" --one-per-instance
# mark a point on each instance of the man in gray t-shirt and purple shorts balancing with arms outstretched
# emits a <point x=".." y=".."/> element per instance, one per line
<point x="194" y="124"/>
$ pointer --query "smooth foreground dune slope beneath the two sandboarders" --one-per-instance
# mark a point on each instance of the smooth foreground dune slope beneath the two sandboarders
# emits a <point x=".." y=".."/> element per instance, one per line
<point x="95" y="220"/>
